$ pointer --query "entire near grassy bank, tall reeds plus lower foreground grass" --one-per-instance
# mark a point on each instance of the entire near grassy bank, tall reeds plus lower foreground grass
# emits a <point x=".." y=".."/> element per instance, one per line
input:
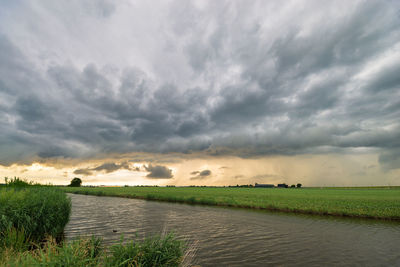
<point x="32" y="221"/>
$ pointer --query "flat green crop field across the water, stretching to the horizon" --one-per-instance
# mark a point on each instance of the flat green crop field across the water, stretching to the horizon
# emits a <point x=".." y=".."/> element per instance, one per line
<point x="378" y="203"/>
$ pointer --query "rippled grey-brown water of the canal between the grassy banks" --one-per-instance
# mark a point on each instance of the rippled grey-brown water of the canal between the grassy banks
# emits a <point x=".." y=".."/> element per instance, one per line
<point x="235" y="237"/>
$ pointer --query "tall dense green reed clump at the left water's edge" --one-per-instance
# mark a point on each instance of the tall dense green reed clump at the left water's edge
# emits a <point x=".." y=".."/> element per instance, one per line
<point x="36" y="211"/>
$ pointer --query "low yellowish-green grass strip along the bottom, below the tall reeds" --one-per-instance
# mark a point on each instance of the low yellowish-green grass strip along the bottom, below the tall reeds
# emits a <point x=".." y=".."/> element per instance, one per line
<point x="156" y="251"/>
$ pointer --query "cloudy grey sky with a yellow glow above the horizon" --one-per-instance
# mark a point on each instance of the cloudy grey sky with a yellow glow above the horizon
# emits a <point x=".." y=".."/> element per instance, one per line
<point x="200" y="92"/>
